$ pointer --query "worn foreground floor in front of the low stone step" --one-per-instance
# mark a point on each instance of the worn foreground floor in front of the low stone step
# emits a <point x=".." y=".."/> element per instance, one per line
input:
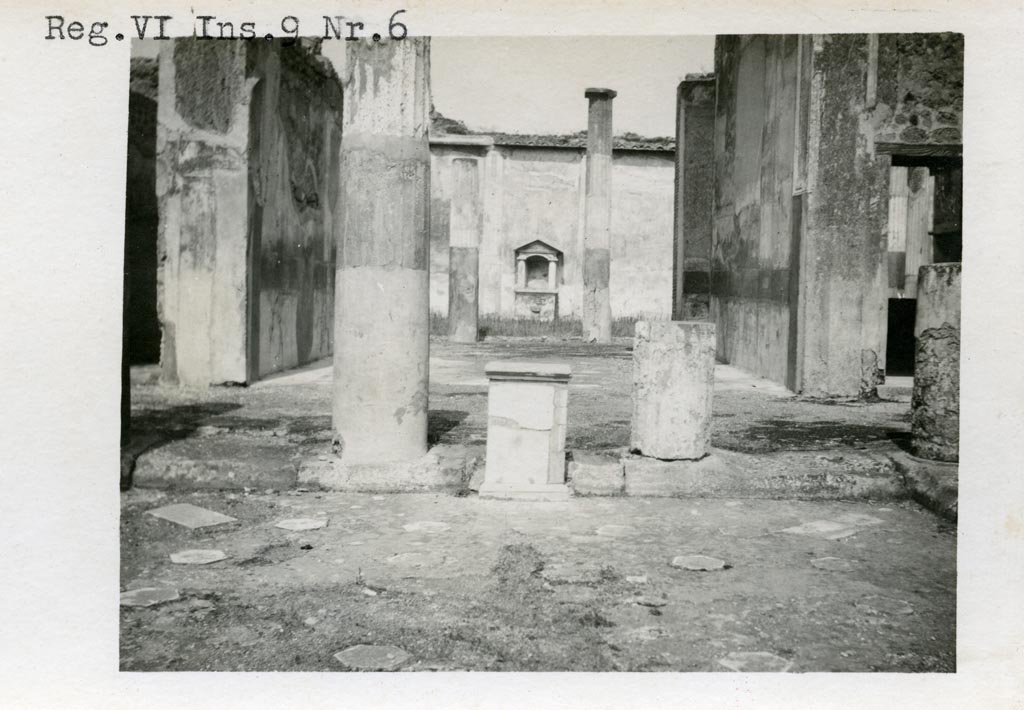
<point x="586" y="586"/>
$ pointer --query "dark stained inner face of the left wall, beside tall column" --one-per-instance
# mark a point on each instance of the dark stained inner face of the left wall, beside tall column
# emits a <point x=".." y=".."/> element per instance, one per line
<point x="294" y="146"/>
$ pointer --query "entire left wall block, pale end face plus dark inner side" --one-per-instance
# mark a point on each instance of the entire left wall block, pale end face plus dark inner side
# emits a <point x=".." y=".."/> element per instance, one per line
<point x="247" y="170"/>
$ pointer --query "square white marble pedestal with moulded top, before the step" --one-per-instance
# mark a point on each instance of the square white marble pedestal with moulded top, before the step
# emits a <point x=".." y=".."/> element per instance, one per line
<point x="527" y="419"/>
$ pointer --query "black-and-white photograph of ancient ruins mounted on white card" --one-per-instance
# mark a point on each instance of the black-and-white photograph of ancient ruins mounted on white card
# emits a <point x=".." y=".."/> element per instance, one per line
<point x="562" y="371"/>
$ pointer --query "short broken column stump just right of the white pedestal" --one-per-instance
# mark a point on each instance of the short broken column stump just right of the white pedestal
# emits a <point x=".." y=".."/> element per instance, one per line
<point x="673" y="382"/>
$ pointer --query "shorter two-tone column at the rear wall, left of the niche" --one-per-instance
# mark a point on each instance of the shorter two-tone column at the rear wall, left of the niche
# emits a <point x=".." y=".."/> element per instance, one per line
<point x="464" y="253"/>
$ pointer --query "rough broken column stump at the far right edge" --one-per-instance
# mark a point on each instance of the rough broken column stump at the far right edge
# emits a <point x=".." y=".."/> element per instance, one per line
<point x="935" y="403"/>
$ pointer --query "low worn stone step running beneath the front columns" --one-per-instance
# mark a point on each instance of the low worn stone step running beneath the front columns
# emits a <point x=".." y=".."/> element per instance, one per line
<point x="880" y="473"/>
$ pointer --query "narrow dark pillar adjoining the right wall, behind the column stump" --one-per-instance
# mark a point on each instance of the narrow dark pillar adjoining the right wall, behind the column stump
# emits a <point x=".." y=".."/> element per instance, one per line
<point x="695" y="198"/>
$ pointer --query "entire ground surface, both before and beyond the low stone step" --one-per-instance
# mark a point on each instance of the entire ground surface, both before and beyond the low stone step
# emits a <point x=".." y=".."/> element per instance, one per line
<point x="454" y="582"/>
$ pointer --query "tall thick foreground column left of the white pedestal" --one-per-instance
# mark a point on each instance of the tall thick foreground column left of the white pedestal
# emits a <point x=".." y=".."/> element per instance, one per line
<point x="381" y="322"/>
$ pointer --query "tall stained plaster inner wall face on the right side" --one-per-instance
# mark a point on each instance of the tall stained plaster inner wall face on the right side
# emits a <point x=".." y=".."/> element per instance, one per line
<point x="753" y="224"/>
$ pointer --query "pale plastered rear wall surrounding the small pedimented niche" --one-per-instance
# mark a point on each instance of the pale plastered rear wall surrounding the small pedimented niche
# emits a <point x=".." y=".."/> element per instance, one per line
<point x="531" y="193"/>
